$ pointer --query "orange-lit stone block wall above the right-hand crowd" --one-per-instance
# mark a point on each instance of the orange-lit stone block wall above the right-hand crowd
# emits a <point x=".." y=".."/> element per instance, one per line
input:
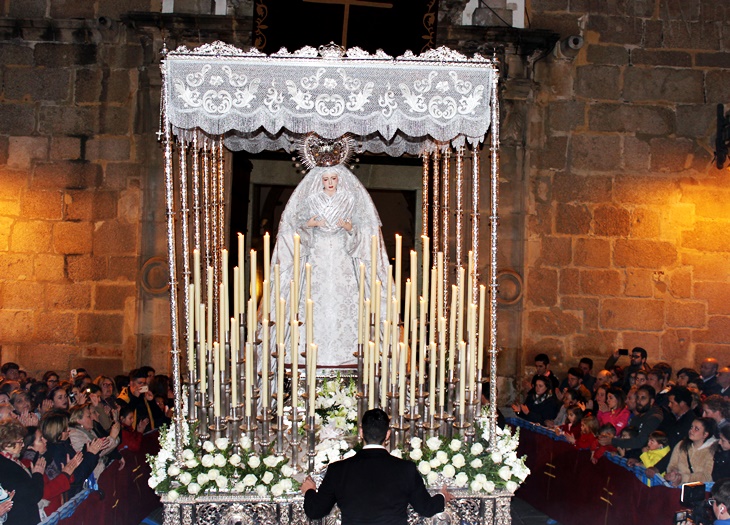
<point x="627" y="224"/>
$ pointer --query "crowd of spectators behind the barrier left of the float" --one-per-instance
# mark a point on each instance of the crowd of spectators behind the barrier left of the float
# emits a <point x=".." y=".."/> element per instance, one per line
<point x="58" y="435"/>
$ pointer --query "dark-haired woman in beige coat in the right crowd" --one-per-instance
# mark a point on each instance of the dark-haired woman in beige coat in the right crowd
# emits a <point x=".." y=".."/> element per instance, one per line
<point x="692" y="458"/>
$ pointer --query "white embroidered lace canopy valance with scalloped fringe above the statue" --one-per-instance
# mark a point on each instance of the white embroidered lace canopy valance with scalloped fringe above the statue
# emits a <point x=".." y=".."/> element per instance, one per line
<point x="267" y="102"/>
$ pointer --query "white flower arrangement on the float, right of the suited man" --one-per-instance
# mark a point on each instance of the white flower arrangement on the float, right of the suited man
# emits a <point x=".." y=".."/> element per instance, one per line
<point x="478" y="467"/>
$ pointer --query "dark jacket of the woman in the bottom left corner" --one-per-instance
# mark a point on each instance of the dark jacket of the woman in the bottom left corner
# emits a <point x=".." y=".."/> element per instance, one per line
<point x="28" y="492"/>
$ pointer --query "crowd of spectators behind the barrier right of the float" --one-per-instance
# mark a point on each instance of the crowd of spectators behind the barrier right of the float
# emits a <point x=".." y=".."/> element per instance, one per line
<point x="676" y="427"/>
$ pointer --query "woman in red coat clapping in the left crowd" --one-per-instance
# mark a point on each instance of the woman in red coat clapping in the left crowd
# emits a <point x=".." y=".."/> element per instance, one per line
<point x="53" y="488"/>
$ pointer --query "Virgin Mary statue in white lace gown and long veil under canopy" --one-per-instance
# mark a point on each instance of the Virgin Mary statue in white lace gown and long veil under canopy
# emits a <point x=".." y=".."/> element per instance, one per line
<point x="335" y="217"/>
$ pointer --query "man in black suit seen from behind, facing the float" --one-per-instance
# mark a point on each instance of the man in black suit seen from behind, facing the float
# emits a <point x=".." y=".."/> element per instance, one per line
<point x="372" y="486"/>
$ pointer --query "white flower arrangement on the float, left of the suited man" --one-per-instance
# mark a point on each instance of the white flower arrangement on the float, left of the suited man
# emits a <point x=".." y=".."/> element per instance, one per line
<point x="219" y="468"/>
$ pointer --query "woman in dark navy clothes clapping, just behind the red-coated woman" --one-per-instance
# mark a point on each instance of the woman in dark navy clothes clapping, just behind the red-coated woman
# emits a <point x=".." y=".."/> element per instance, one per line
<point x="54" y="427"/>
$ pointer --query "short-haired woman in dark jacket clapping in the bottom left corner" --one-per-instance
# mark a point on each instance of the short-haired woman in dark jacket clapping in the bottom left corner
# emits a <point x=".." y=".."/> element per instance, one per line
<point x="27" y="484"/>
